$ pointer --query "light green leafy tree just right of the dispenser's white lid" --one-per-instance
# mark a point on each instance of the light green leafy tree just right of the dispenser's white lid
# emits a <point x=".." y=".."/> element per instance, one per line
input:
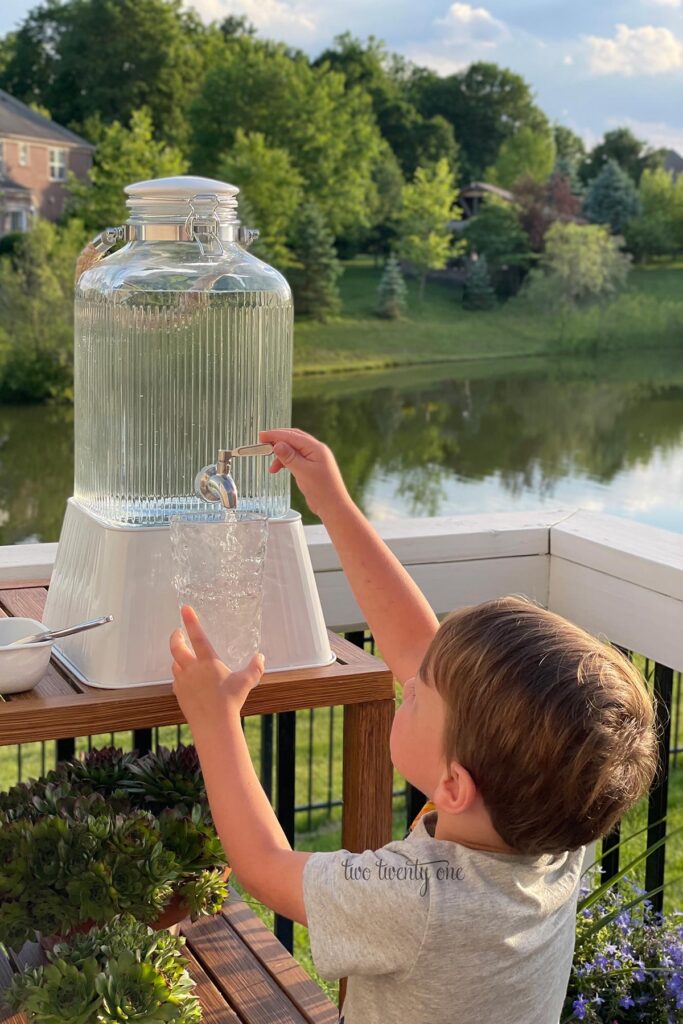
<point x="272" y="186"/>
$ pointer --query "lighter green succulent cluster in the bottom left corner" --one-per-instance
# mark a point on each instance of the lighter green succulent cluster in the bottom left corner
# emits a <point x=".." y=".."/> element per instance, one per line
<point x="122" y="972"/>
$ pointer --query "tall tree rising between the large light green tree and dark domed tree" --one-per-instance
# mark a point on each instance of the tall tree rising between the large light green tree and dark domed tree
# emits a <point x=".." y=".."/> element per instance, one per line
<point x="416" y="141"/>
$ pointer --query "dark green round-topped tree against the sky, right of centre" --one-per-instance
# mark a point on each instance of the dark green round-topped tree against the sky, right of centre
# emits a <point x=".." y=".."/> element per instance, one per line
<point x="486" y="105"/>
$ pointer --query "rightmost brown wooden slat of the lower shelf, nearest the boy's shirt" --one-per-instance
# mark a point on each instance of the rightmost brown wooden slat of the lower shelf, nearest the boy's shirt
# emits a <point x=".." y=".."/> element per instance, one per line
<point x="313" y="1003"/>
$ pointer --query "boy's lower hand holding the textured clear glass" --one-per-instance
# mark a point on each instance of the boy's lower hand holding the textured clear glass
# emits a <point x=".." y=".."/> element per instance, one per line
<point x="204" y="687"/>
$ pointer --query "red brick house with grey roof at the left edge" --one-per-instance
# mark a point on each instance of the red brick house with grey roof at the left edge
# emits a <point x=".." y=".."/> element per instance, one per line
<point x="36" y="155"/>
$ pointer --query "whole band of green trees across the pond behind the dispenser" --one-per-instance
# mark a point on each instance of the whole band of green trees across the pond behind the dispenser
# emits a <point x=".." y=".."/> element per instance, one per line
<point x="356" y="151"/>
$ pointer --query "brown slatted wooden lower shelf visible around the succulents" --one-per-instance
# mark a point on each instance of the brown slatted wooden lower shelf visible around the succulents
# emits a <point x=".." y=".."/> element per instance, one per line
<point x="243" y="974"/>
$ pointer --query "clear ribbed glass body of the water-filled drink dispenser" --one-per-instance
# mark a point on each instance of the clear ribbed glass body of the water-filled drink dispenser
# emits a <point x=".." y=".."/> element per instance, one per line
<point x="176" y="359"/>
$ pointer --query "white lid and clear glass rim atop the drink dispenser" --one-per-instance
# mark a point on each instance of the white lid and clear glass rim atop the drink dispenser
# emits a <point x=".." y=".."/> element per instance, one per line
<point x="172" y="199"/>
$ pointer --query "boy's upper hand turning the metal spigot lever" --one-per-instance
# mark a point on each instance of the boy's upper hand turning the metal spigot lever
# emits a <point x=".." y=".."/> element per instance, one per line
<point x="313" y="465"/>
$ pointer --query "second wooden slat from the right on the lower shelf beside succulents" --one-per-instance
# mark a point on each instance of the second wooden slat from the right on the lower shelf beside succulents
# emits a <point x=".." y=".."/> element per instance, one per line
<point x="247" y="986"/>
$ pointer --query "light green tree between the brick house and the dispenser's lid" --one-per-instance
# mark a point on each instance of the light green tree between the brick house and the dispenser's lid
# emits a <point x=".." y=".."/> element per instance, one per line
<point x="123" y="156"/>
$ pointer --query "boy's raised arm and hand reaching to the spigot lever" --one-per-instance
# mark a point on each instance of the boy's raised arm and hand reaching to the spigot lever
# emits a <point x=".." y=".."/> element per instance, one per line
<point x="395" y="608"/>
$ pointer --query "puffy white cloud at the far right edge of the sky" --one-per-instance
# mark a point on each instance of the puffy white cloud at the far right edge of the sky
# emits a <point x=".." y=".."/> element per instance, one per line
<point x="648" y="51"/>
